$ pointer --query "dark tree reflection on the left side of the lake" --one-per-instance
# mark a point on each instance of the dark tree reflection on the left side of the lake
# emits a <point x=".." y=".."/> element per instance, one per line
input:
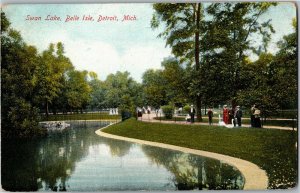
<point x="44" y="163"/>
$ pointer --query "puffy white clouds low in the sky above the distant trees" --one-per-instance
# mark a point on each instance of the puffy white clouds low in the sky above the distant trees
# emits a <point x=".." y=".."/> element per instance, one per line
<point x="104" y="58"/>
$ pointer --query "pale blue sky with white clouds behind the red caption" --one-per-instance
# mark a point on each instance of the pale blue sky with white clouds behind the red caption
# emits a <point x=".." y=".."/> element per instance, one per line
<point x="109" y="46"/>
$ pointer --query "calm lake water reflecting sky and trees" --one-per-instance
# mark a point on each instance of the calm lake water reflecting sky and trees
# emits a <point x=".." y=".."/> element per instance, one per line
<point x="79" y="160"/>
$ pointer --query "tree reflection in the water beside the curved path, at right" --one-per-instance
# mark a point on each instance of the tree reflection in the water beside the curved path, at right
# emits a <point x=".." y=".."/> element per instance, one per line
<point x="195" y="172"/>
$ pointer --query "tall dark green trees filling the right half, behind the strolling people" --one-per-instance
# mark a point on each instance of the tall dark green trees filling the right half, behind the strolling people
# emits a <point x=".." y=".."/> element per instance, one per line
<point x="222" y="35"/>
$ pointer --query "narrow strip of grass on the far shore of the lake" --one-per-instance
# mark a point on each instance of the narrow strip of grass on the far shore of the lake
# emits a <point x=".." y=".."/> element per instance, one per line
<point x="80" y="116"/>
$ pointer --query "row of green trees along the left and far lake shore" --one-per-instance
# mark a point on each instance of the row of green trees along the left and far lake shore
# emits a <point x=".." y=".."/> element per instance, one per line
<point x="35" y="84"/>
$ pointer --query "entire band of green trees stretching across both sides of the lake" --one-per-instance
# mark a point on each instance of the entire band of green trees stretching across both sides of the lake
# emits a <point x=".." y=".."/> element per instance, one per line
<point x="210" y="66"/>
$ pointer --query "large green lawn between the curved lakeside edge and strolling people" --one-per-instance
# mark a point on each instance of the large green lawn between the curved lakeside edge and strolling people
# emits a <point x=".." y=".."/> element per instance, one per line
<point x="272" y="150"/>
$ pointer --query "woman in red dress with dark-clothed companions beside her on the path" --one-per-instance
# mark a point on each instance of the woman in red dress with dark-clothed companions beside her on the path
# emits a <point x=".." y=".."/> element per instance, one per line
<point x="232" y="116"/>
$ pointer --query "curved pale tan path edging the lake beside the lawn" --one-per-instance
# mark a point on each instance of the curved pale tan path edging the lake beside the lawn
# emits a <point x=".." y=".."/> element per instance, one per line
<point x="255" y="178"/>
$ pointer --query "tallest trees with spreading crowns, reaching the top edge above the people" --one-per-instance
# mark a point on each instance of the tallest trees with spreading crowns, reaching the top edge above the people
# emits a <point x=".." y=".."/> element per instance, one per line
<point x="224" y="29"/>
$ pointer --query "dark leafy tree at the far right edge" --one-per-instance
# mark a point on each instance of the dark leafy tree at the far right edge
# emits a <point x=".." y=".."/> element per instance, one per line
<point x="271" y="81"/>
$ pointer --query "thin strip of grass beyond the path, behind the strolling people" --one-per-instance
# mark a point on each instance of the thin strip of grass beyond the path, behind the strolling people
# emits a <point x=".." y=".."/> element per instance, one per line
<point x="282" y="123"/>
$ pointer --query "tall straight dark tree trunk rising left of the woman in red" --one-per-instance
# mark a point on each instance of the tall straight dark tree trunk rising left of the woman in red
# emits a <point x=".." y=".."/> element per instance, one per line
<point x="197" y="60"/>
